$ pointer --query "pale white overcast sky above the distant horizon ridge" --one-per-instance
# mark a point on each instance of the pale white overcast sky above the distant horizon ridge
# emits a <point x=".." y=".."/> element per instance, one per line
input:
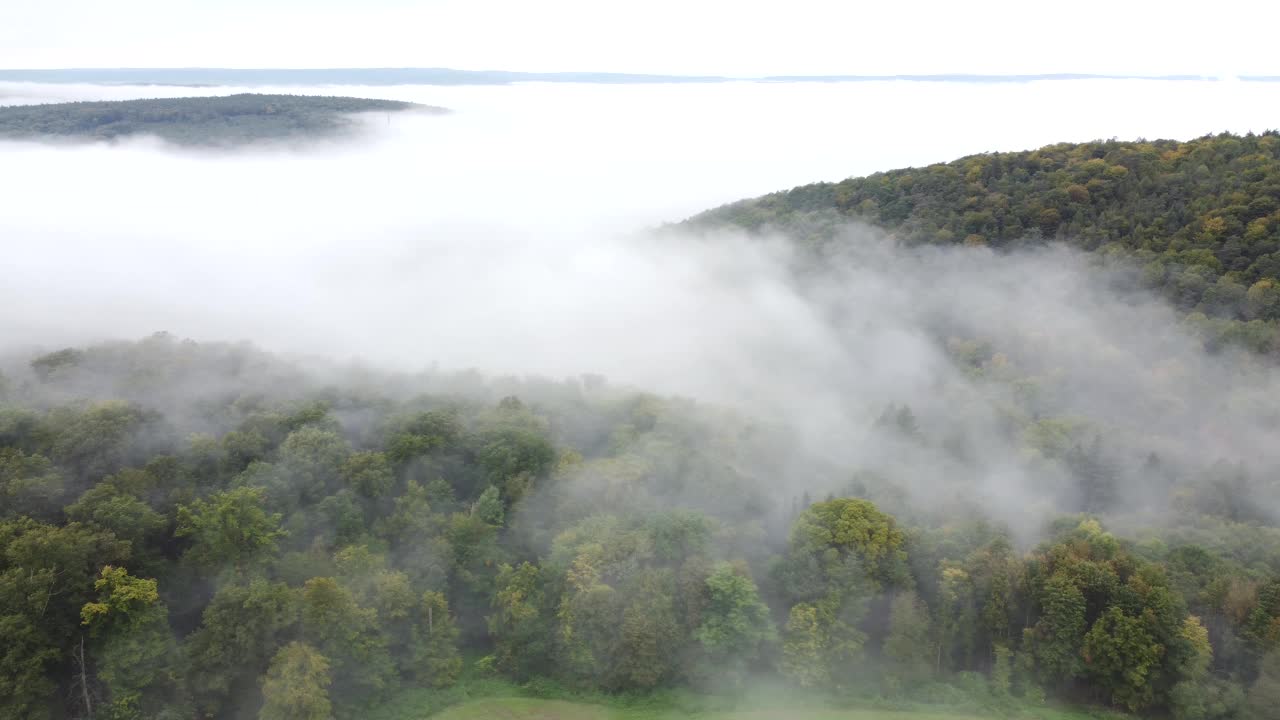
<point x="735" y="38"/>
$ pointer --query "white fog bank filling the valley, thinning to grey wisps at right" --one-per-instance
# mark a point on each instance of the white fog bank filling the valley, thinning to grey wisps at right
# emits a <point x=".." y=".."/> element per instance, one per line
<point x="510" y="236"/>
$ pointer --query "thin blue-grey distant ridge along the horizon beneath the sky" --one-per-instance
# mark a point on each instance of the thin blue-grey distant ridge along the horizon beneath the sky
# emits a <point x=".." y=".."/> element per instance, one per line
<point x="447" y="76"/>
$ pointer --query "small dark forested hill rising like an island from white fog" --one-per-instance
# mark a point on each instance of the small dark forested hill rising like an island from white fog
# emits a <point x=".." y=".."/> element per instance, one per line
<point x="234" y="120"/>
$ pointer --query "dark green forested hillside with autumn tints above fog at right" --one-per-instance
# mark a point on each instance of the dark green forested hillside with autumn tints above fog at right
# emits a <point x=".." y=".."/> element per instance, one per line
<point x="1201" y="218"/>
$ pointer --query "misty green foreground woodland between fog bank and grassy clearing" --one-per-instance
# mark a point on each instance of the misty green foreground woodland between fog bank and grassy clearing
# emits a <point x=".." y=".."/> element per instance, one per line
<point x="207" y="531"/>
